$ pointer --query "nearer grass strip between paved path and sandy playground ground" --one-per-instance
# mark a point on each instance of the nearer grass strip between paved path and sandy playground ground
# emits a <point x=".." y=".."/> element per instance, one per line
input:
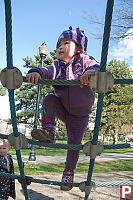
<point x="99" y="167"/>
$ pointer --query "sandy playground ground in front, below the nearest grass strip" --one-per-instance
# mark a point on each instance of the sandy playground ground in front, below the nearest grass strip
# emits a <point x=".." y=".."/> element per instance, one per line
<point x="38" y="191"/>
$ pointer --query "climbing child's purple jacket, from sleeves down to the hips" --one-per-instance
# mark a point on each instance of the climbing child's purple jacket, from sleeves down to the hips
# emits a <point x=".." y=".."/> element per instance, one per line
<point x="77" y="101"/>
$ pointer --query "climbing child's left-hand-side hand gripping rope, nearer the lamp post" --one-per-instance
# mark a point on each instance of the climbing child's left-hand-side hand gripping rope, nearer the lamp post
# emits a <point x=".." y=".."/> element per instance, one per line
<point x="33" y="77"/>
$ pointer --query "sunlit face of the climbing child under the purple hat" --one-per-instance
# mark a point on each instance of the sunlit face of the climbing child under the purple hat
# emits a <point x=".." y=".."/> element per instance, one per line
<point x="66" y="50"/>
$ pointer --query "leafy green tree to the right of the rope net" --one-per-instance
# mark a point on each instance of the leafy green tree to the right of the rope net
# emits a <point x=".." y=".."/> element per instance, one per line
<point x="118" y="103"/>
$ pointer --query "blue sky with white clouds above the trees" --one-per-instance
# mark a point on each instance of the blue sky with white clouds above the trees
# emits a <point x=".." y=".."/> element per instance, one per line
<point x="35" y="22"/>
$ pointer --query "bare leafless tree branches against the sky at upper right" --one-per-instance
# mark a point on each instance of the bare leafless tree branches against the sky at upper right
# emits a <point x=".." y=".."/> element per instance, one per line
<point x="122" y="21"/>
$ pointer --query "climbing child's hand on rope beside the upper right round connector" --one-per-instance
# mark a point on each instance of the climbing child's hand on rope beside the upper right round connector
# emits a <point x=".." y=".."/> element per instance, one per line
<point x="85" y="78"/>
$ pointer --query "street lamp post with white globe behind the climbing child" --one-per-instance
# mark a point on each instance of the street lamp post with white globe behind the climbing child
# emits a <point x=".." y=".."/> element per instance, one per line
<point x="43" y="51"/>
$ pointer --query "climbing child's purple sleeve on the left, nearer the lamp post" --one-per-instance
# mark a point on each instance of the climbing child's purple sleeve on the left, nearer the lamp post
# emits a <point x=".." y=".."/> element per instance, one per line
<point x="45" y="72"/>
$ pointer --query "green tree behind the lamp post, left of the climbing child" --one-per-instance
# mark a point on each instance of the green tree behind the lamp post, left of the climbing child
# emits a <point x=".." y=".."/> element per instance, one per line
<point x="26" y="95"/>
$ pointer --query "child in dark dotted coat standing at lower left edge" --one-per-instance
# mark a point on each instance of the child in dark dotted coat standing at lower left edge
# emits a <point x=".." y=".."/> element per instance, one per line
<point x="7" y="185"/>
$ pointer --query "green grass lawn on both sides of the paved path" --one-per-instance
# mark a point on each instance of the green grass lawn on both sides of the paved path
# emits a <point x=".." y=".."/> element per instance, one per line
<point x="99" y="167"/>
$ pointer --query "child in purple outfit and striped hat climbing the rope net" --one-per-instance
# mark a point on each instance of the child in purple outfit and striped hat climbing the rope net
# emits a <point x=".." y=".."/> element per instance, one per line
<point x="71" y="104"/>
